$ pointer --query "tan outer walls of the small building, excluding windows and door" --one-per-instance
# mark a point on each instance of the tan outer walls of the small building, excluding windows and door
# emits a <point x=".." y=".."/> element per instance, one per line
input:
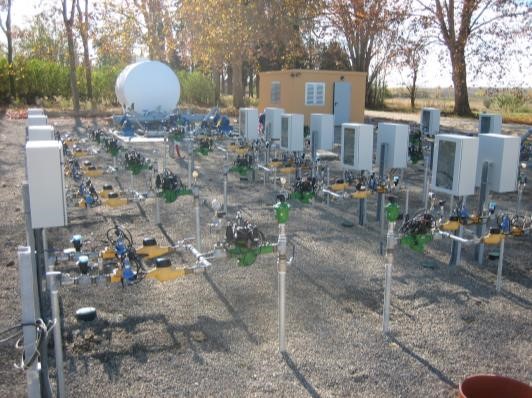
<point x="293" y="91"/>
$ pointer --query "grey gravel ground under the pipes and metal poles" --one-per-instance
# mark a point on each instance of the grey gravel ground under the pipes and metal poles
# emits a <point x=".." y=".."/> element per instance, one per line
<point x="215" y="334"/>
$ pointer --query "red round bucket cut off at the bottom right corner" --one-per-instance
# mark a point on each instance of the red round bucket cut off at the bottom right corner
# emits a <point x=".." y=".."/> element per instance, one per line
<point x="492" y="386"/>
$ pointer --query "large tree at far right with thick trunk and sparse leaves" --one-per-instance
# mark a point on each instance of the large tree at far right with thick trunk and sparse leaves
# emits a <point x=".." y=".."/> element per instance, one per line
<point x="480" y="31"/>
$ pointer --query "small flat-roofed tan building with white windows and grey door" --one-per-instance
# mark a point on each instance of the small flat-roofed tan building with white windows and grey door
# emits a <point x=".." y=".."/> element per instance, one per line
<point x="315" y="91"/>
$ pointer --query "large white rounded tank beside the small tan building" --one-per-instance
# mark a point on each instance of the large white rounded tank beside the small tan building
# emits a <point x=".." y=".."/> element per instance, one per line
<point x="148" y="86"/>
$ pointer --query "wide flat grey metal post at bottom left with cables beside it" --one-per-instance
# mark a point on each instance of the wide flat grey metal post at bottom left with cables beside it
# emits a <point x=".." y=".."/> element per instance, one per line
<point x="30" y="314"/>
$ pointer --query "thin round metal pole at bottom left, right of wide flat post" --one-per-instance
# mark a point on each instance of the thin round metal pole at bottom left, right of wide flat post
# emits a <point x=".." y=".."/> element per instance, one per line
<point x="53" y="280"/>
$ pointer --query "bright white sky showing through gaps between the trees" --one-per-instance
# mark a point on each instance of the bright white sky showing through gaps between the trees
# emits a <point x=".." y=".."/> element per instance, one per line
<point x="434" y="74"/>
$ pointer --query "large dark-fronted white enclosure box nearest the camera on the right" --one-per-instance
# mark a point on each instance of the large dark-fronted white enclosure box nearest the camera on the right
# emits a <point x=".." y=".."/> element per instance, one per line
<point x="454" y="165"/>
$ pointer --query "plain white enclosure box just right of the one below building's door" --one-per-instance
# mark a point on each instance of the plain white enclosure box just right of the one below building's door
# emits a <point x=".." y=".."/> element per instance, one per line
<point x="396" y="137"/>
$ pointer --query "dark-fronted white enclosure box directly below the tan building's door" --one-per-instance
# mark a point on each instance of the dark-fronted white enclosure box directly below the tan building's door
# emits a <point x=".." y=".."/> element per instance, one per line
<point x="357" y="146"/>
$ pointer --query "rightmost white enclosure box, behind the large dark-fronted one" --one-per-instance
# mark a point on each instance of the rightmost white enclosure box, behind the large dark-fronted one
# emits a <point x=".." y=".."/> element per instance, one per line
<point x="502" y="153"/>
